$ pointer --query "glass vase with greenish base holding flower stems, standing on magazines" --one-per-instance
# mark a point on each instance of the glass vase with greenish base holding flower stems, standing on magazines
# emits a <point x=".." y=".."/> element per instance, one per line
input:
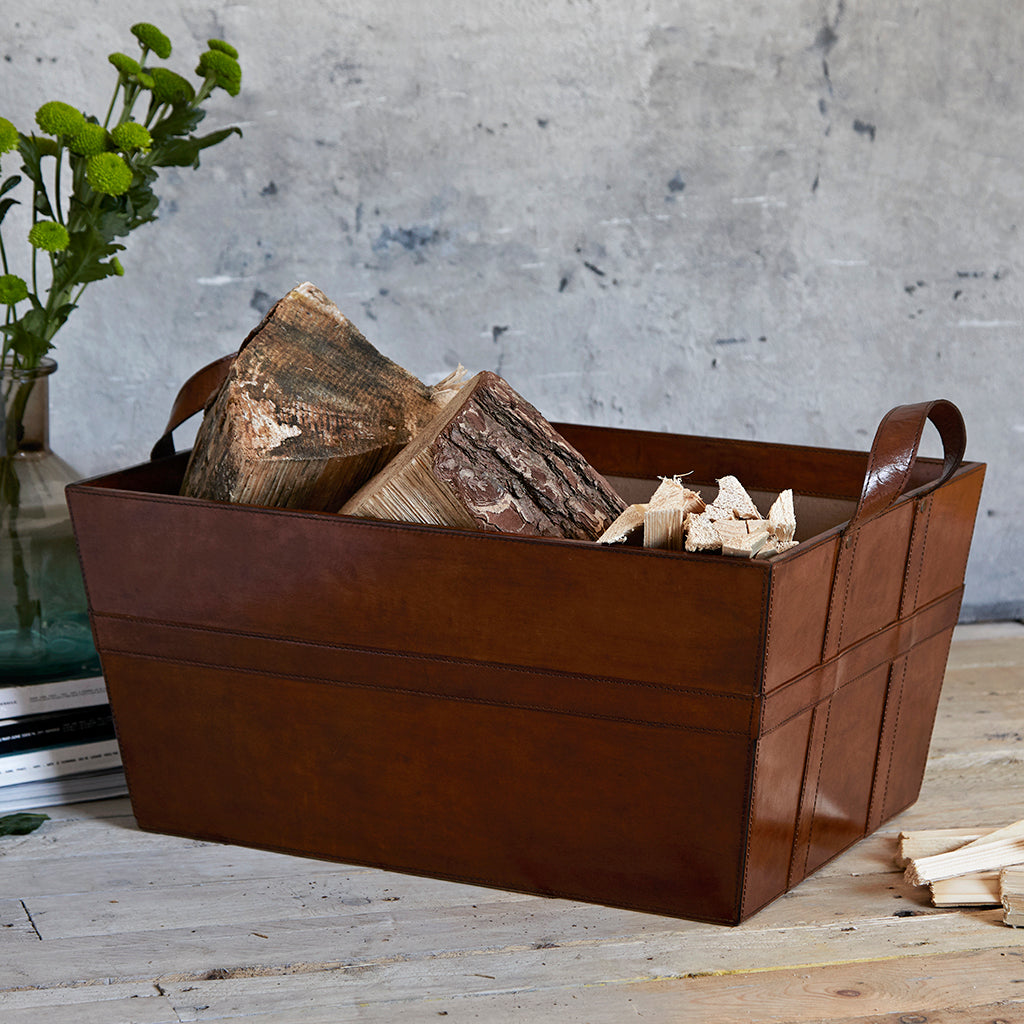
<point x="45" y="622"/>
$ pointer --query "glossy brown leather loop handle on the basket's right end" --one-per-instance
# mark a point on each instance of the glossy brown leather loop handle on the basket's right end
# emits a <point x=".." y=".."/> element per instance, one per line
<point x="895" y="449"/>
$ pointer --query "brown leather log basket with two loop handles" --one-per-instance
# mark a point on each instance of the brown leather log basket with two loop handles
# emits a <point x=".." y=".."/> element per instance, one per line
<point x="687" y="735"/>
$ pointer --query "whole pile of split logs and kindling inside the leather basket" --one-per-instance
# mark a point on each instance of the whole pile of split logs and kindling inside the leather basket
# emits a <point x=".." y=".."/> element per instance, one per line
<point x="313" y="417"/>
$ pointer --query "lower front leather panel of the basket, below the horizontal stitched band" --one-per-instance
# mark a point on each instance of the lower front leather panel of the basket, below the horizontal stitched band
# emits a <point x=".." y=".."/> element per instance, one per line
<point x="614" y="813"/>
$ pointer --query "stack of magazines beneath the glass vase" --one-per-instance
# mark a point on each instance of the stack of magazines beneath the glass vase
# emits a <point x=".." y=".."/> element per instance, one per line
<point x="58" y="745"/>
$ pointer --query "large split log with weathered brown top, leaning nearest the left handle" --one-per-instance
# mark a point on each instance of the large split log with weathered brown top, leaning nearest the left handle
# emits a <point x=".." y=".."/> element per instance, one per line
<point x="309" y="413"/>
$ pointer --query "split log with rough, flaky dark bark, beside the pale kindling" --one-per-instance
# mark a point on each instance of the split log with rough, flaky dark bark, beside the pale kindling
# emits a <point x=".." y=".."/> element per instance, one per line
<point x="491" y="462"/>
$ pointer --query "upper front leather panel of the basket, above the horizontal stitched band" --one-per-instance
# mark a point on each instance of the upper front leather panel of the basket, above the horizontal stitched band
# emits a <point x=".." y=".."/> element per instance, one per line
<point x="656" y="617"/>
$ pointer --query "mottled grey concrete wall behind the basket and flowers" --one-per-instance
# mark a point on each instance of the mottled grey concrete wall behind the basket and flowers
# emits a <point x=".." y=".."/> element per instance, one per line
<point x="759" y="220"/>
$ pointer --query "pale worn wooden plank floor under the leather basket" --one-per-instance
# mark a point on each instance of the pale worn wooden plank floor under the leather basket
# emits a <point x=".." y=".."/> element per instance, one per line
<point x="103" y="924"/>
